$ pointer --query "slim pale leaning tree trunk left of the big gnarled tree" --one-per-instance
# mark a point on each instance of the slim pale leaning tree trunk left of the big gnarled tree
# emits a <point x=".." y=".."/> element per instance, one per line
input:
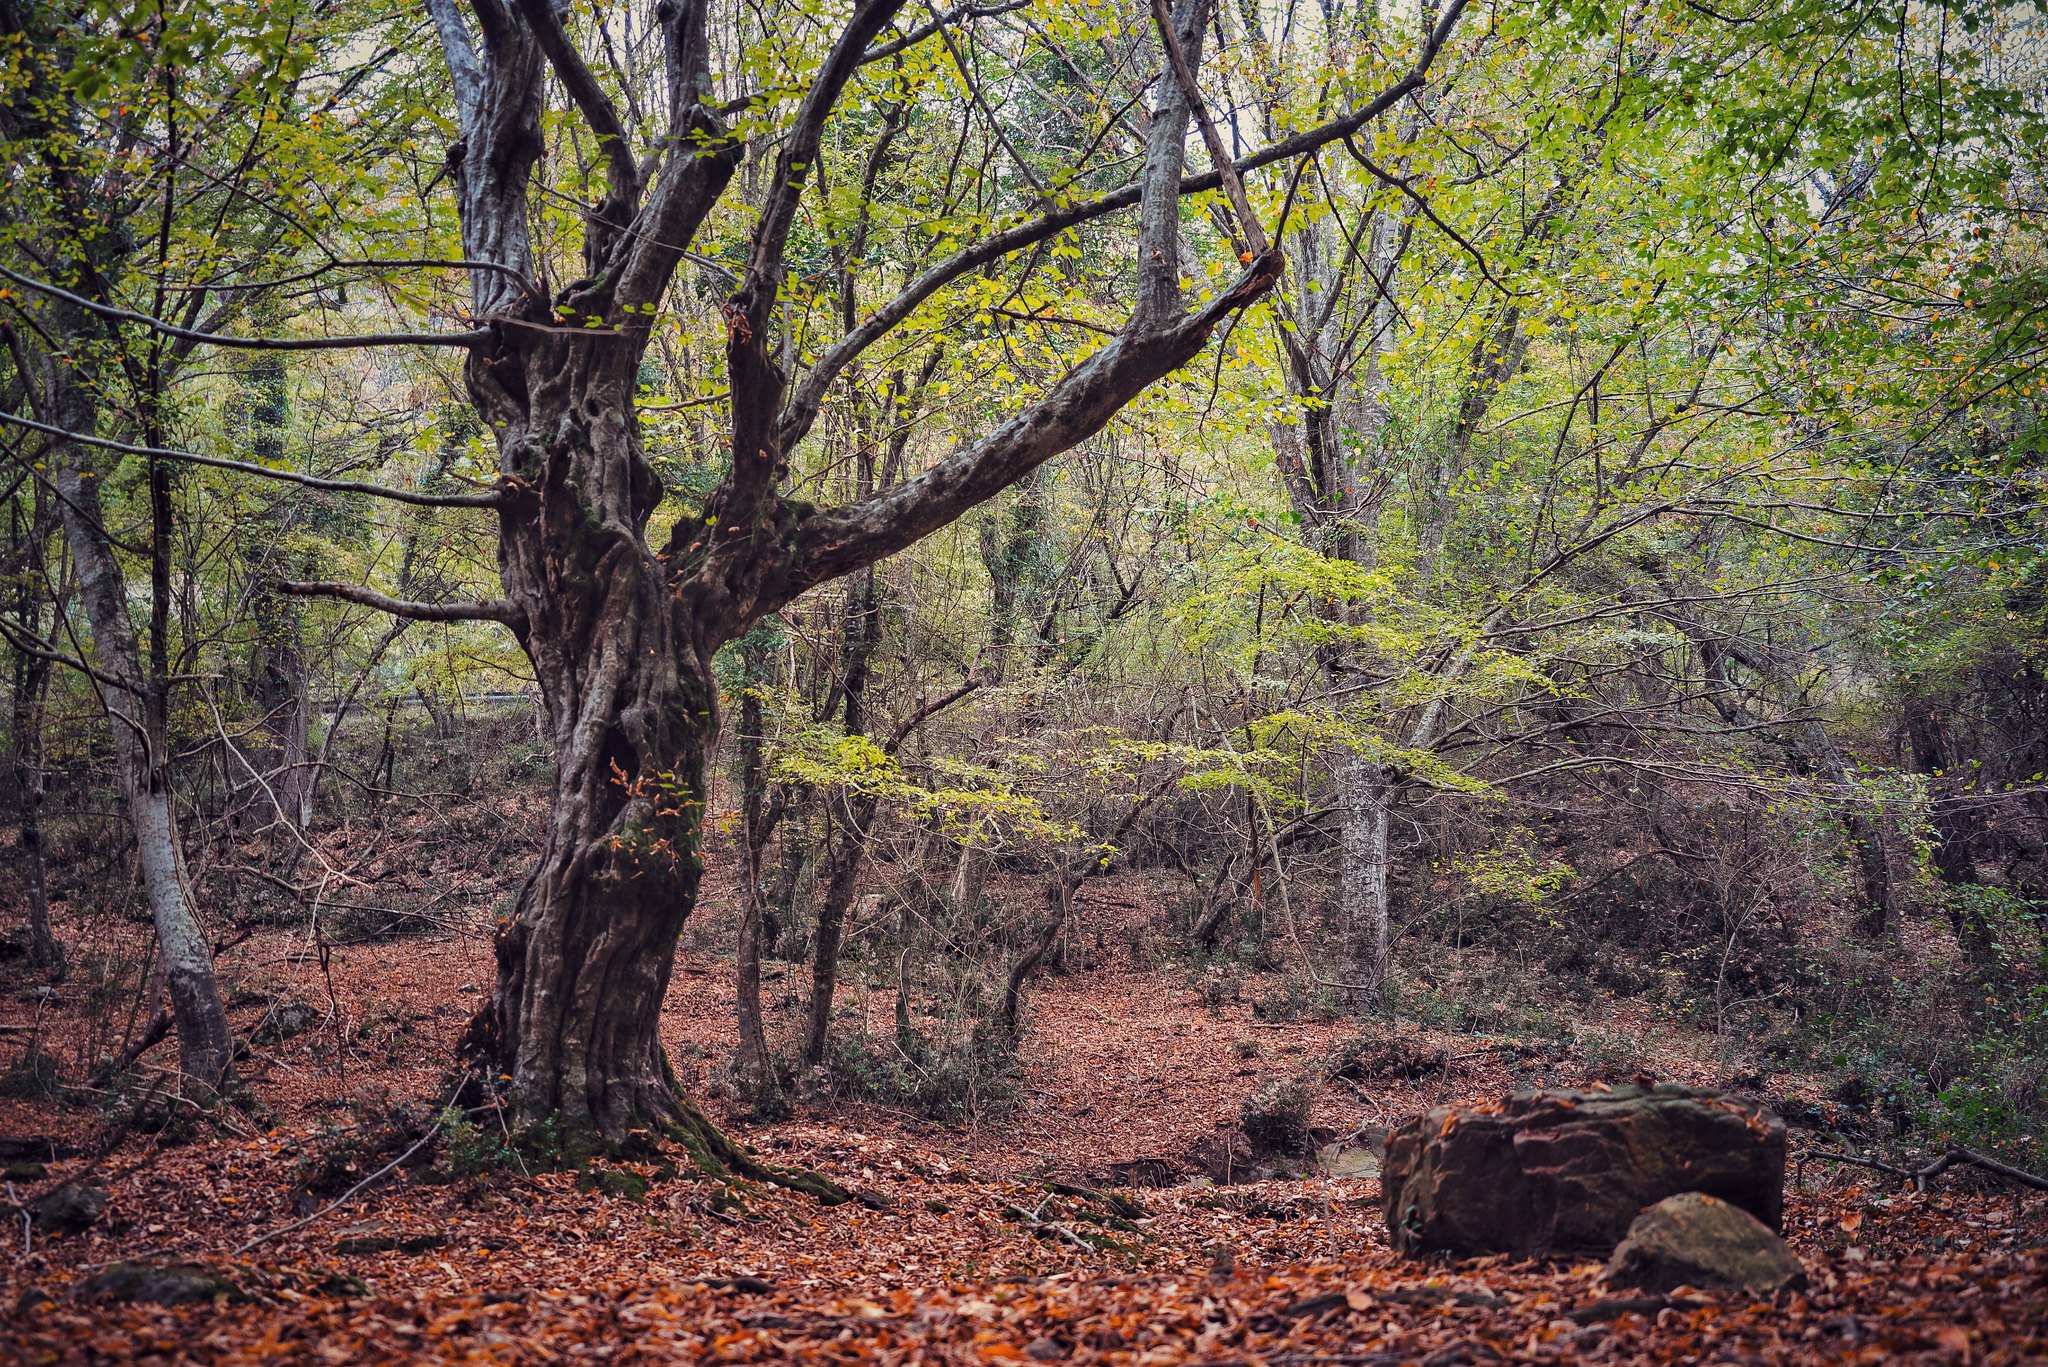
<point x="142" y="763"/>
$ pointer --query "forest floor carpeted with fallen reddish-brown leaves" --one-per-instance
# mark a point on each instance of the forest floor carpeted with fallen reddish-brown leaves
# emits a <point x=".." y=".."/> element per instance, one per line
<point x="976" y="1243"/>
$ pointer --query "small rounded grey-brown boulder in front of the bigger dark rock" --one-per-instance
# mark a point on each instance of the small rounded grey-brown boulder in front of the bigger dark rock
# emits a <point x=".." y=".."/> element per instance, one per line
<point x="1699" y="1241"/>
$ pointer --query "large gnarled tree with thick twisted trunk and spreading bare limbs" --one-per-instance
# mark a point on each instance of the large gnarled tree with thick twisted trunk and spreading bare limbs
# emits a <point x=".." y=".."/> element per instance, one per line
<point x="622" y="620"/>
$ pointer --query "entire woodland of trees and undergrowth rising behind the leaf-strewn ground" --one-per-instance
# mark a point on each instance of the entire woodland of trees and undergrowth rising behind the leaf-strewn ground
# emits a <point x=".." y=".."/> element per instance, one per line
<point x="1562" y="515"/>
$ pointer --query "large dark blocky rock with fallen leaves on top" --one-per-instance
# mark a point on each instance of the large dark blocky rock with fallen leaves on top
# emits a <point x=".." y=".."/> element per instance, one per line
<point x="1570" y="1171"/>
